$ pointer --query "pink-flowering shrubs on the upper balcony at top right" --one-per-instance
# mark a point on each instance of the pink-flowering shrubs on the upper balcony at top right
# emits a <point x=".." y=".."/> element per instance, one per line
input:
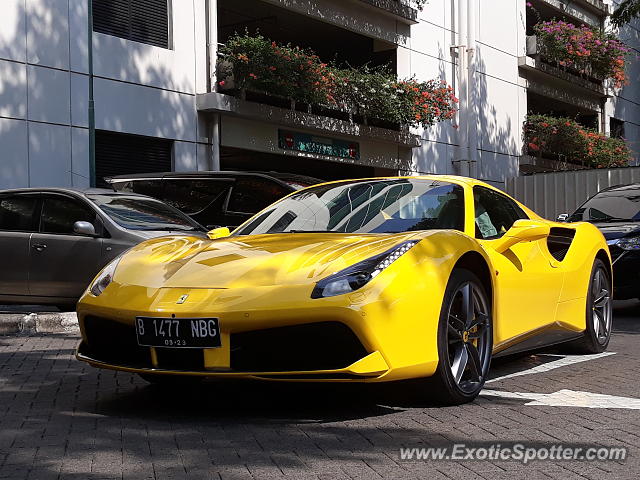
<point x="587" y="50"/>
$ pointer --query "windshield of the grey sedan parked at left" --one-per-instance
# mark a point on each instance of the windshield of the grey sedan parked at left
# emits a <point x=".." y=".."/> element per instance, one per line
<point x="143" y="213"/>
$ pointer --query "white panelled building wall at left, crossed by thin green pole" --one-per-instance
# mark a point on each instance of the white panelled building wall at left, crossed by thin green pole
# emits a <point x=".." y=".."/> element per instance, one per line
<point x="139" y="89"/>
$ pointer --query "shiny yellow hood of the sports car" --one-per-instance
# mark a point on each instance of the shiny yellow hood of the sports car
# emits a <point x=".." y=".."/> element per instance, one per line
<point x="242" y="261"/>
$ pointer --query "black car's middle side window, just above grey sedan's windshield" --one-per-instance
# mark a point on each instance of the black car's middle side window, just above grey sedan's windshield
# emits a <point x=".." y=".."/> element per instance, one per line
<point x="193" y="196"/>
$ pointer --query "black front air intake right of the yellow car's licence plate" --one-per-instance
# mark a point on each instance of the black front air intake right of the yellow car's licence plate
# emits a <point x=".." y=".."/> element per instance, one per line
<point x="313" y="346"/>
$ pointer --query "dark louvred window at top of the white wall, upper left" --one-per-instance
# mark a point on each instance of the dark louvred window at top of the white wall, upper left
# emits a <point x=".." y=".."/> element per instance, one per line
<point x="144" y="21"/>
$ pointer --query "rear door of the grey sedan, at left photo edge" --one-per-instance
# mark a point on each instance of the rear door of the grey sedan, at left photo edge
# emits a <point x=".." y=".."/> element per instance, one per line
<point x="18" y="221"/>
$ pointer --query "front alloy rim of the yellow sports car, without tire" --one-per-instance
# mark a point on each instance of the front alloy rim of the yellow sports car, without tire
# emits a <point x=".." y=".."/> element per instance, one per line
<point x="468" y="336"/>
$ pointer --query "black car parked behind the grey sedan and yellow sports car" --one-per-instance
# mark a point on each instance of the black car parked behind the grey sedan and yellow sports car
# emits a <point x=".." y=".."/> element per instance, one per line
<point x="214" y="199"/>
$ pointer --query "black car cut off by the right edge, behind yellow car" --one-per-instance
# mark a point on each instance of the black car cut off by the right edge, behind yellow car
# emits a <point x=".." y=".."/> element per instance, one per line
<point x="616" y="212"/>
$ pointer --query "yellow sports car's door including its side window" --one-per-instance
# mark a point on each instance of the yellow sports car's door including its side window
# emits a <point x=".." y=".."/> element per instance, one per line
<point x="528" y="282"/>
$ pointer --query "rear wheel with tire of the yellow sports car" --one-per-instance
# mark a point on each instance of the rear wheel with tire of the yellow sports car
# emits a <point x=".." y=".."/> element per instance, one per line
<point x="599" y="315"/>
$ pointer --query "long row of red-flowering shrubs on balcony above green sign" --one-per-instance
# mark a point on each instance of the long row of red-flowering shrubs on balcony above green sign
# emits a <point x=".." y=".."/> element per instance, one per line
<point x="255" y="63"/>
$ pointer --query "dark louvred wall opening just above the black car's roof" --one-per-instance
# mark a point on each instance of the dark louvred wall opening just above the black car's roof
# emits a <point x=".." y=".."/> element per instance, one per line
<point x="122" y="154"/>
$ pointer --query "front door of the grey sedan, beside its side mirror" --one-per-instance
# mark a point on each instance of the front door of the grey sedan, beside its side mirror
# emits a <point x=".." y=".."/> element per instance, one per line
<point x="63" y="262"/>
